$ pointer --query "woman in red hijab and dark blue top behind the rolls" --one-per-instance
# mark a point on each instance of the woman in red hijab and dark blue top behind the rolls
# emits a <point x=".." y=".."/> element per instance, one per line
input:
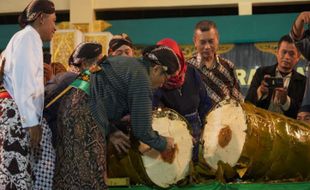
<point x="184" y="93"/>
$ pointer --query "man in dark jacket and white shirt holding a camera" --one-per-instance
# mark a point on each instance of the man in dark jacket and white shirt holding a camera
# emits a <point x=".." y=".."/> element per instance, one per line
<point x="286" y="99"/>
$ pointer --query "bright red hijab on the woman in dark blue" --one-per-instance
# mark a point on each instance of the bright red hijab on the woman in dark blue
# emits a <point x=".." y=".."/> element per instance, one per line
<point x="177" y="80"/>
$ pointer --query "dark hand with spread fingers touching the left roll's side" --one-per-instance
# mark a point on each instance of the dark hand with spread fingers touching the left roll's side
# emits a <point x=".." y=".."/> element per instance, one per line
<point x="120" y="142"/>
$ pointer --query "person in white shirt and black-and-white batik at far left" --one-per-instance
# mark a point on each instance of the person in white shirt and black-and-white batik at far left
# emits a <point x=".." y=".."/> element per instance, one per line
<point x="21" y="105"/>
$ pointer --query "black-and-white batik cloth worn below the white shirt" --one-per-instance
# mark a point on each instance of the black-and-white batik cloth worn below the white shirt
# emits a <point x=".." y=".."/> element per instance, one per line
<point x="19" y="169"/>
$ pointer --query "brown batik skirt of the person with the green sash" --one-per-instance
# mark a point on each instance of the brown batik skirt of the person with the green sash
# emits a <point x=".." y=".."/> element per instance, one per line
<point x="80" y="148"/>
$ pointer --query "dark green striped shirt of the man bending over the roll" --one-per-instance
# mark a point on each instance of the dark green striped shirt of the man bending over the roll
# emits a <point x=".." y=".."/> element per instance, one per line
<point x="122" y="87"/>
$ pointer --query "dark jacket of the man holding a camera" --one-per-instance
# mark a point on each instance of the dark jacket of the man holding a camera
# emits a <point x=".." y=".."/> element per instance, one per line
<point x="296" y="90"/>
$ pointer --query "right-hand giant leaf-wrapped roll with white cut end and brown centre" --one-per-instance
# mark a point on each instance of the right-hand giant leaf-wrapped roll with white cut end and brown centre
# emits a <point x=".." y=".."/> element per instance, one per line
<point x="243" y="141"/>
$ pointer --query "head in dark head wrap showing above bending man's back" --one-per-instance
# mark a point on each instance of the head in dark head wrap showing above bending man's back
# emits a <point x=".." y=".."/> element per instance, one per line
<point x="121" y="45"/>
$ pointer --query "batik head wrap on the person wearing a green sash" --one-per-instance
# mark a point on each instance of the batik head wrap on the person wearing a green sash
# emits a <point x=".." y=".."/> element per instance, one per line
<point x="85" y="50"/>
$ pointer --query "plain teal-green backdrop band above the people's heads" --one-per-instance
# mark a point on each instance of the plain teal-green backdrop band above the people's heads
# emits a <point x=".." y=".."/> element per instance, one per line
<point x="233" y="29"/>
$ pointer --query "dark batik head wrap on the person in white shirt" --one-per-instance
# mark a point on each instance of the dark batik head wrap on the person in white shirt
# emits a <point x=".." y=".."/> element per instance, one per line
<point x="33" y="11"/>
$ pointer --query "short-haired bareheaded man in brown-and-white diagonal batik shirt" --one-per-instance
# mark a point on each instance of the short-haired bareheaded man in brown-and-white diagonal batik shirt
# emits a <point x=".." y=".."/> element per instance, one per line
<point x="217" y="72"/>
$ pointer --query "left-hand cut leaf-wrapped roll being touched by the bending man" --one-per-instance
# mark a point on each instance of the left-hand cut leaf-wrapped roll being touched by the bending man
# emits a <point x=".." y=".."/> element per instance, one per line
<point x="149" y="168"/>
